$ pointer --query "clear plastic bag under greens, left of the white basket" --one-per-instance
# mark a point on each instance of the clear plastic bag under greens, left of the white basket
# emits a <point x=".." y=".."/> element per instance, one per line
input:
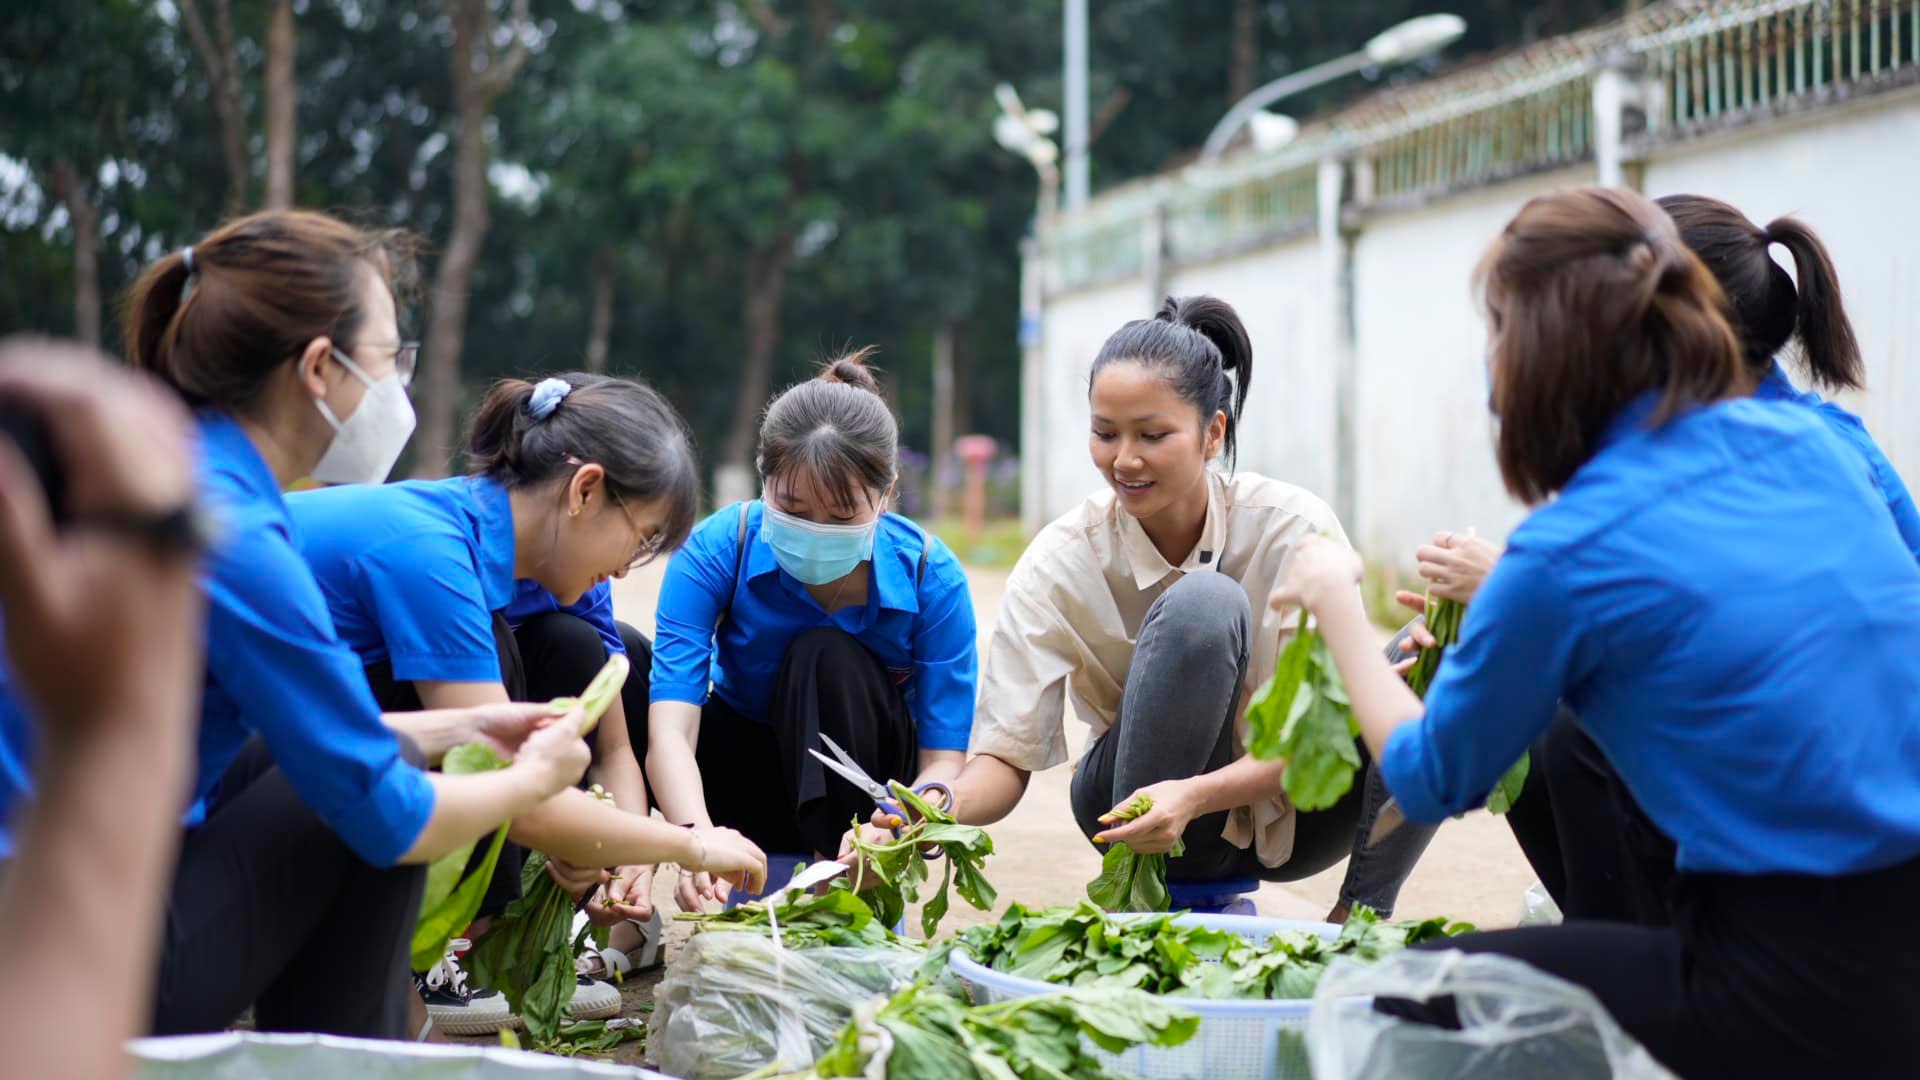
<point x="734" y="1002"/>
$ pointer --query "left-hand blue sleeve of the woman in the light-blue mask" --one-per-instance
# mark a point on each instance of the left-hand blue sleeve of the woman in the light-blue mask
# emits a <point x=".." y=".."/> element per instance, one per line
<point x="700" y="579"/>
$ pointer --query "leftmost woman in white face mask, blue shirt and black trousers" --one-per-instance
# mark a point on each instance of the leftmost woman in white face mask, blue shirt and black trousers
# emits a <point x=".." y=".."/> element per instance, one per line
<point x="299" y="877"/>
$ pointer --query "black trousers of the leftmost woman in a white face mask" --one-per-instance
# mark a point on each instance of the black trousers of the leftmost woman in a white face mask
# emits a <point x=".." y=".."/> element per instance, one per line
<point x="272" y="910"/>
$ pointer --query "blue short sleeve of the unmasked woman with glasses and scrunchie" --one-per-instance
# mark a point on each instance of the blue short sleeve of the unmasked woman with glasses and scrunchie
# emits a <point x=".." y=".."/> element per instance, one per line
<point x="425" y="597"/>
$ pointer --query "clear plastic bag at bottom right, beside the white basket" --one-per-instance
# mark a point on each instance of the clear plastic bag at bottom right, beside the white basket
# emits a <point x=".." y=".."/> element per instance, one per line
<point x="1518" y="1023"/>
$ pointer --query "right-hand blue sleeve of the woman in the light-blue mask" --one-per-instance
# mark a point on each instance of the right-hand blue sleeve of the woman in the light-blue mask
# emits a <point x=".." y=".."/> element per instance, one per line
<point x="946" y="654"/>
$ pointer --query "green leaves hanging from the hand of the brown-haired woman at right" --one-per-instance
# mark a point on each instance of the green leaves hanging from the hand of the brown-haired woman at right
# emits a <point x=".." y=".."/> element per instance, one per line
<point x="1305" y="716"/>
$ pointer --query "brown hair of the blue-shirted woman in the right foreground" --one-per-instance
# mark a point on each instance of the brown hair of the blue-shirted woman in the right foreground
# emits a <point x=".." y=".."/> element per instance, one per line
<point x="1595" y="301"/>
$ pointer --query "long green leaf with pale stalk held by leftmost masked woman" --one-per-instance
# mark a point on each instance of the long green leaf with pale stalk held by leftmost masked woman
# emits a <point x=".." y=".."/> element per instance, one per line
<point x="450" y="900"/>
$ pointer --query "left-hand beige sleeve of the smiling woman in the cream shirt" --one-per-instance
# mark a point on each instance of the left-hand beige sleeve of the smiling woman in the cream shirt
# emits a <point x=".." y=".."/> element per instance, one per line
<point x="1020" y="716"/>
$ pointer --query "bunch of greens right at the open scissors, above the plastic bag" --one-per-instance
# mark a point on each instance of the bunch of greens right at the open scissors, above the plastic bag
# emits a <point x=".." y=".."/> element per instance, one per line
<point x="901" y="864"/>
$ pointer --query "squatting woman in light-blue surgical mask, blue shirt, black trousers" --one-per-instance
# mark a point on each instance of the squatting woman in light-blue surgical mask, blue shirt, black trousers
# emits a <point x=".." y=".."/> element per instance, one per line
<point x="809" y="614"/>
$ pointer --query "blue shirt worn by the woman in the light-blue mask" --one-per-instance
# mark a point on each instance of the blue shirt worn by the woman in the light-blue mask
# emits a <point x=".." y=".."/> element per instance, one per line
<point x="919" y="624"/>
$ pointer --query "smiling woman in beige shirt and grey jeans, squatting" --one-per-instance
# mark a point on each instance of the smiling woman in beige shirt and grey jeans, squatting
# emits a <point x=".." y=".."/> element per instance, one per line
<point x="1140" y="610"/>
